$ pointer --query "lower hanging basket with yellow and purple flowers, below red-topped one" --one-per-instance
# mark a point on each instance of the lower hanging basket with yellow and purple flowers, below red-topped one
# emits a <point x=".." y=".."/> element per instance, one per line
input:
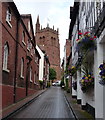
<point x="86" y="82"/>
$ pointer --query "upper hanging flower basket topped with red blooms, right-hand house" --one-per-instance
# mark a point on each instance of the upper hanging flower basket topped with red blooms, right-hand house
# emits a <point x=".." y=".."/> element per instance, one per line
<point x="85" y="42"/>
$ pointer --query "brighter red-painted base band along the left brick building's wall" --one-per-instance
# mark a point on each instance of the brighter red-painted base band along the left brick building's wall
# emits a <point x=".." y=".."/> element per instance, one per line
<point x="8" y="91"/>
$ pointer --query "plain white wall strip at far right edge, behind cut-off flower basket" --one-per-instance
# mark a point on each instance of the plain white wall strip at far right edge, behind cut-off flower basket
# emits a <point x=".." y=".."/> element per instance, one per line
<point x="99" y="89"/>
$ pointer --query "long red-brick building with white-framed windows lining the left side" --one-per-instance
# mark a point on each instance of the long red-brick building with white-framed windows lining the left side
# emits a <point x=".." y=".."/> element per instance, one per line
<point x="20" y="58"/>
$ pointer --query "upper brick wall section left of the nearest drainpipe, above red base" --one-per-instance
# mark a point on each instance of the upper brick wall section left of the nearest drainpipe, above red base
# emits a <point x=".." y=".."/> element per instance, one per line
<point x="9" y="35"/>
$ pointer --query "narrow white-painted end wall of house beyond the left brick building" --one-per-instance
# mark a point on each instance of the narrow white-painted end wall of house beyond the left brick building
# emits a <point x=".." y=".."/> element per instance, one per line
<point x="41" y="63"/>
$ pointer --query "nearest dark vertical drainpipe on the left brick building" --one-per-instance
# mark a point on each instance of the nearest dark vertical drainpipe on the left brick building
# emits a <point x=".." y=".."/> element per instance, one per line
<point x="16" y="56"/>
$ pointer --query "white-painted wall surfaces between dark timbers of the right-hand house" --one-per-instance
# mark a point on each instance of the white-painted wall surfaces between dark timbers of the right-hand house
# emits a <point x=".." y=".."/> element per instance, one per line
<point x="94" y="97"/>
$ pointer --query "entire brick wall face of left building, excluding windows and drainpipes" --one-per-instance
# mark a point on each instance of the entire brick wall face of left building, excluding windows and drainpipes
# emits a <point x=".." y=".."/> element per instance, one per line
<point x="9" y="35"/>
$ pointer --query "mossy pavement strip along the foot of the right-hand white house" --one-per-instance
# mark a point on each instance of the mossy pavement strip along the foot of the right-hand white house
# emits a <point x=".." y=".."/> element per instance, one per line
<point x="76" y="108"/>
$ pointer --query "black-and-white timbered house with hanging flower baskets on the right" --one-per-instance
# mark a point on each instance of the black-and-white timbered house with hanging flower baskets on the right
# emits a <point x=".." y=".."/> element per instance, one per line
<point x="87" y="34"/>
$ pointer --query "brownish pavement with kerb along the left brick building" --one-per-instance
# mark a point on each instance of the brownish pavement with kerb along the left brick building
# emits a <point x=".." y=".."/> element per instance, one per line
<point x="10" y="110"/>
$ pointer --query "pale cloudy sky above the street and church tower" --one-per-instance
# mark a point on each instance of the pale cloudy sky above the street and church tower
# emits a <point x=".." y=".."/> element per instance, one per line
<point x="53" y="12"/>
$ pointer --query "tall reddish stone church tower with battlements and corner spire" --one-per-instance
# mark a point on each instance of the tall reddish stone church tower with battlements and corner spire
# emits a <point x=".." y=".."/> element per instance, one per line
<point x="48" y="40"/>
